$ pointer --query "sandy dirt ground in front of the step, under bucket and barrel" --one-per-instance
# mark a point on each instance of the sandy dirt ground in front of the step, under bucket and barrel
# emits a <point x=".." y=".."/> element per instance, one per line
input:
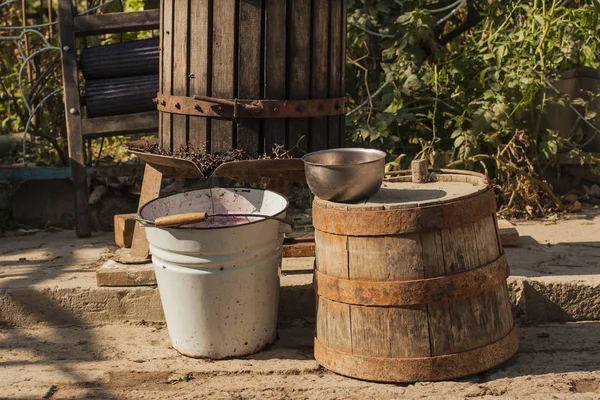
<point x="134" y="361"/>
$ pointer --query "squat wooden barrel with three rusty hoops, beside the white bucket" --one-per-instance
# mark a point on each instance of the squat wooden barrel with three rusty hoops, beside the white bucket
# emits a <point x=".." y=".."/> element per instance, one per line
<point x="411" y="284"/>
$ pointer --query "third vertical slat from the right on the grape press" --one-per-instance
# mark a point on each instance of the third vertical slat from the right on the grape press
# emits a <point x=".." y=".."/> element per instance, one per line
<point x="299" y="68"/>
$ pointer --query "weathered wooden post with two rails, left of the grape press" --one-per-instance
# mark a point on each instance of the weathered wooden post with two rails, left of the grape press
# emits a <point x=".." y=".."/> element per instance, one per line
<point x="78" y="126"/>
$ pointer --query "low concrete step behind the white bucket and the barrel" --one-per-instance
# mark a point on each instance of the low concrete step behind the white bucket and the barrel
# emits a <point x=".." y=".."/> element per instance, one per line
<point x="50" y="278"/>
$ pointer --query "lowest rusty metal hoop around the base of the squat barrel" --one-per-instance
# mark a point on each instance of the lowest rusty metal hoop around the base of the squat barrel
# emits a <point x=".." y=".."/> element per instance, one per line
<point x="418" y="369"/>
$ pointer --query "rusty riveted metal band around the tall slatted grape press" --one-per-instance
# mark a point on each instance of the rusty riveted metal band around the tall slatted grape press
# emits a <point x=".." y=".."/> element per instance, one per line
<point x="238" y="108"/>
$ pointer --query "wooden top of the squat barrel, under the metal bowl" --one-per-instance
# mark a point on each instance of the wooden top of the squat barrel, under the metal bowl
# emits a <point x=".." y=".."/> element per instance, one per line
<point x="400" y="192"/>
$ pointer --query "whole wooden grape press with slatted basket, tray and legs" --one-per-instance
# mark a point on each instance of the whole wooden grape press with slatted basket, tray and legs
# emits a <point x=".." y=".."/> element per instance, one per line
<point x="251" y="75"/>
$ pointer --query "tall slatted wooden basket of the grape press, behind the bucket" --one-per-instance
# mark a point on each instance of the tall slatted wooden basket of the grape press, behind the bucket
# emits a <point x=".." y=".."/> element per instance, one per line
<point x="251" y="50"/>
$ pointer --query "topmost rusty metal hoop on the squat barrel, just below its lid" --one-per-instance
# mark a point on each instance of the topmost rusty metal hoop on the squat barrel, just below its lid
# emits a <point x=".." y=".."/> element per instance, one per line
<point x="404" y="220"/>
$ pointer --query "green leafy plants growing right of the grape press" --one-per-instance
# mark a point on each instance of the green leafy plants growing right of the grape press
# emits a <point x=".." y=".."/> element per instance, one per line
<point x="457" y="101"/>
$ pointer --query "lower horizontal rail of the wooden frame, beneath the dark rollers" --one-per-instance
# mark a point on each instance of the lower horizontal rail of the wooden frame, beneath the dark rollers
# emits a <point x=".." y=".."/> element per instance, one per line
<point x="128" y="124"/>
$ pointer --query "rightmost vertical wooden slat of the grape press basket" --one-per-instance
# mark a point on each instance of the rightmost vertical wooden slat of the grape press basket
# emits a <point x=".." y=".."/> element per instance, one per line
<point x="336" y="57"/>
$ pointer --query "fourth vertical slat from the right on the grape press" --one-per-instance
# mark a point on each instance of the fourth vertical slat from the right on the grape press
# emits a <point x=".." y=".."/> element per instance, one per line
<point x="275" y="69"/>
